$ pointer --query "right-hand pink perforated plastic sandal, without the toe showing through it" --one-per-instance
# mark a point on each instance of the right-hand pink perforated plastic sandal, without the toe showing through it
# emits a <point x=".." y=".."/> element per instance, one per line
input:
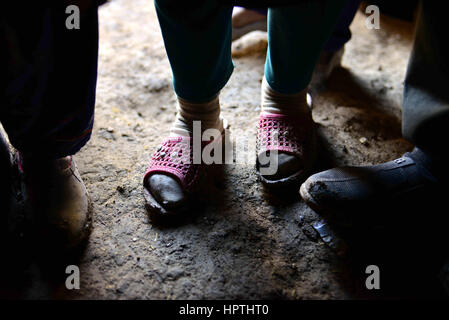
<point x="294" y="135"/>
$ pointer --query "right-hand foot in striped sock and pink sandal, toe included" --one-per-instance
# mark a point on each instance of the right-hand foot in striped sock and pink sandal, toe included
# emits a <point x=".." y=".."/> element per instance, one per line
<point x="285" y="138"/>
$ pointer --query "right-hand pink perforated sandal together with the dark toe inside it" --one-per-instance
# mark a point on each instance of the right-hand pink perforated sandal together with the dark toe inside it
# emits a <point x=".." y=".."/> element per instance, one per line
<point x="286" y="148"/>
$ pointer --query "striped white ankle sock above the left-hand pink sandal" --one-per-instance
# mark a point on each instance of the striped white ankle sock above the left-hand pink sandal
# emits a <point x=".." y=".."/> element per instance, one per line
<point x="207" y="112"/>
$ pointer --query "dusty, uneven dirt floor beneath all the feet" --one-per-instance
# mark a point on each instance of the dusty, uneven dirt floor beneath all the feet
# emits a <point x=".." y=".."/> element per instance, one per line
<point x="242" y="241"/>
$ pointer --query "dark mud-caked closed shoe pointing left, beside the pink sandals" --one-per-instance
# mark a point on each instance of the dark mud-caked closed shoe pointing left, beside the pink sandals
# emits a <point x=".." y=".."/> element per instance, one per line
<point x="350" y="188"/>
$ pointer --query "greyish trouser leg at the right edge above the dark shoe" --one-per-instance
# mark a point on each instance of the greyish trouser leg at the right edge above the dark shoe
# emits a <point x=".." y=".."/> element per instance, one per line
<point x="425" y="115"/>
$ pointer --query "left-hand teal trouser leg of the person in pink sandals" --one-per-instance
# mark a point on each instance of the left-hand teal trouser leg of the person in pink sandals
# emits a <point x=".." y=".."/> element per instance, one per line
<point x="197" y="37"/>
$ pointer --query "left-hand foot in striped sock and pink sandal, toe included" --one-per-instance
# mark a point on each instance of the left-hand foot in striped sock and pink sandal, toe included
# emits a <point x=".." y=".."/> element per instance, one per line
<point x="172" y="178"/>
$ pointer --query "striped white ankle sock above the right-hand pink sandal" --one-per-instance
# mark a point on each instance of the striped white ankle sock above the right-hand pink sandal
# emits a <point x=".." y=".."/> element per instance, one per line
<point x="280" y="103"/>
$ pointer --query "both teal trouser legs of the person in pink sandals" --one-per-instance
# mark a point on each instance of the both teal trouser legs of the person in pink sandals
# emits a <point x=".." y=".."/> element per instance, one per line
<point x="197" y="37"/>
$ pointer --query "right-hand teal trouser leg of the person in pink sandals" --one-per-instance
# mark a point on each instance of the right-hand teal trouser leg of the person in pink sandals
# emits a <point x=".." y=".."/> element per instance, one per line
<point x="296" y="37"/>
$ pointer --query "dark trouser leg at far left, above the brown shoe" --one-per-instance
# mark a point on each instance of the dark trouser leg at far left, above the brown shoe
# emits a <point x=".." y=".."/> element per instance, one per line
<point x="48" y="78"/>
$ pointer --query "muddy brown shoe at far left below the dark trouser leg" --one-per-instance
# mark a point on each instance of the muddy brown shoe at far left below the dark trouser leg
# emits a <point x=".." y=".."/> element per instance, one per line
<point x="58" y="198"/>
